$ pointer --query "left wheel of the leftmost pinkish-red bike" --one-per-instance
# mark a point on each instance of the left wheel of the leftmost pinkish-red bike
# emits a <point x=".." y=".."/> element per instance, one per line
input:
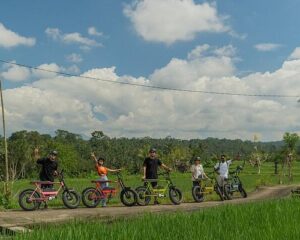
<point x="28" y="200"/>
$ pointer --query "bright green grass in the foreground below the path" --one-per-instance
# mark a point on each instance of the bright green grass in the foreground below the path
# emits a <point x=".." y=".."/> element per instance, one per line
<point x="277" y="219"/>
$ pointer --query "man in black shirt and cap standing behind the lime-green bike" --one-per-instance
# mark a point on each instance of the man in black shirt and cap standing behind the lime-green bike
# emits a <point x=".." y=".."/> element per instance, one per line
<point x="150" y="167"/>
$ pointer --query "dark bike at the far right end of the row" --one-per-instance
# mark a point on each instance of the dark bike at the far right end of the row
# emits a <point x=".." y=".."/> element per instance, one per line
<point x="234" y="184"/>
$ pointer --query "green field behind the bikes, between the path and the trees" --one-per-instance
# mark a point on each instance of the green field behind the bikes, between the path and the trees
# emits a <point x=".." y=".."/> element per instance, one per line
<point x="249" y="176"/>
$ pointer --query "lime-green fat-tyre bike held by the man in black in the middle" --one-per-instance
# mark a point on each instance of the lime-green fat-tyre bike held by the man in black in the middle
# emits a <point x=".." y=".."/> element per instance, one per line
<point x="168" y="189"/>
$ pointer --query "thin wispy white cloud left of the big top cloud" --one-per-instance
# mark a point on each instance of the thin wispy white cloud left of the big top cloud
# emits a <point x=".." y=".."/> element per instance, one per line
<point x="71" y="38"/>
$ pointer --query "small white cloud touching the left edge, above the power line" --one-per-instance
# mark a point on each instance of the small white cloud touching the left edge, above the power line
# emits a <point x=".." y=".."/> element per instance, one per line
<point x="9" y="39"/>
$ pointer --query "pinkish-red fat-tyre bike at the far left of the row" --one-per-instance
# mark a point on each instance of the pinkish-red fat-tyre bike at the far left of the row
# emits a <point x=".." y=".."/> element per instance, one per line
<point x="31" y="199"/>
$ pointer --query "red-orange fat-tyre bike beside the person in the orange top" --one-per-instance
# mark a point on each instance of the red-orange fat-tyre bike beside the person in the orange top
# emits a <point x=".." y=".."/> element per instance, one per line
<point x="92" y="196"/>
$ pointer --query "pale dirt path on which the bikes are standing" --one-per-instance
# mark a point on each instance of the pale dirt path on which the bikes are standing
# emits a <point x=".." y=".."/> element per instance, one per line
<point x="15" y="220"/>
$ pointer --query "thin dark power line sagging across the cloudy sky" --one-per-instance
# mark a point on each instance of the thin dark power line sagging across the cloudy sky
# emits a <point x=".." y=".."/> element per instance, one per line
<point x="153" y="86"/>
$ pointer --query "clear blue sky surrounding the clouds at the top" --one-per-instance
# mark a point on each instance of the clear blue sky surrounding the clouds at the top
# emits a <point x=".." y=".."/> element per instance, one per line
<point x="261" y="22"/>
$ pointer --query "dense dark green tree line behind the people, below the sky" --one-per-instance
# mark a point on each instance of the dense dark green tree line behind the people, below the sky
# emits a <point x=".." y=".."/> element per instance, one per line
<point x="129" y="153"/>
